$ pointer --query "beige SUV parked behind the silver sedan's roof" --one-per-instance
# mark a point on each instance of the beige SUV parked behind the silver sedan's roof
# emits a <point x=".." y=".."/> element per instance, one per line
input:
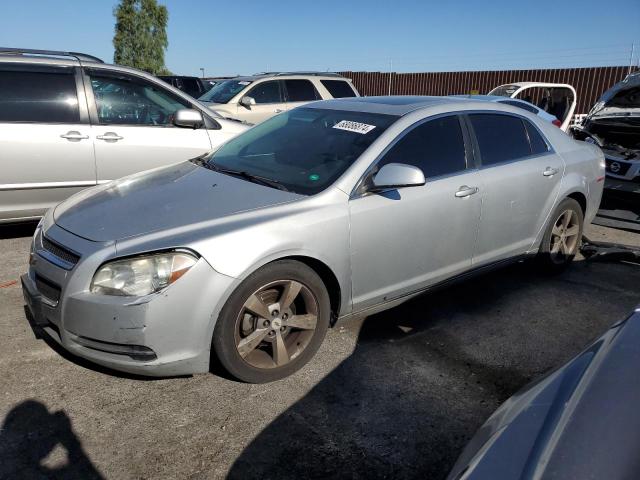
<point x="258" y="97"/>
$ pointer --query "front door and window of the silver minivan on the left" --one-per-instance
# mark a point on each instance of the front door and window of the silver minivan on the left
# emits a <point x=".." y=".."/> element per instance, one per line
<point x="132" y="127"/>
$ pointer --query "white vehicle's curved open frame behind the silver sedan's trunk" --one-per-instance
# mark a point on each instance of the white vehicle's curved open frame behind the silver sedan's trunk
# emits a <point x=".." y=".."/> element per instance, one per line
<point x="557" y="99"/>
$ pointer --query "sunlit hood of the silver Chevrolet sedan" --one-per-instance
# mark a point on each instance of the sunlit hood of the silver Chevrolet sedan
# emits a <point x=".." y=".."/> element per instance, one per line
<point x="159" y="199"/>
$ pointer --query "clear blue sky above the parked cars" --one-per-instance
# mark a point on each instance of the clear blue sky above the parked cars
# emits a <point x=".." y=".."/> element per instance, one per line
<point x="244" y="37"/>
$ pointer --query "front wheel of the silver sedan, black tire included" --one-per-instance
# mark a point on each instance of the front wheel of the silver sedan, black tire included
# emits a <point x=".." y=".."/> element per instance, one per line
<point x="266" y="330"/>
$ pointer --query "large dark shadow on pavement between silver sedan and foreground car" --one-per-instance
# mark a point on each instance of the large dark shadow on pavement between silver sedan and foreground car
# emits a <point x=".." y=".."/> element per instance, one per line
<point x="425" y="375"/>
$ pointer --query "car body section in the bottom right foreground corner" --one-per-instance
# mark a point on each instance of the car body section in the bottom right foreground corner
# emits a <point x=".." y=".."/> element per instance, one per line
<point x="580" y="421"/>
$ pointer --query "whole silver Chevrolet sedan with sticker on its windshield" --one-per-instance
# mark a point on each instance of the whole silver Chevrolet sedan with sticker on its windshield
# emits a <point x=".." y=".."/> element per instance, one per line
<point x="335" y="209"/>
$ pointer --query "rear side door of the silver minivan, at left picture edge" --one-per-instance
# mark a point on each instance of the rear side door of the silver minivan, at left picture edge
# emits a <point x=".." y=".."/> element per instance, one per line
<point x="46" y="153"/>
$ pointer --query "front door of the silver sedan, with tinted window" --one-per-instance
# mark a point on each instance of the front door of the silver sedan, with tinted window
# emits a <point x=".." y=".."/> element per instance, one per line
<point x="407" y="239"/>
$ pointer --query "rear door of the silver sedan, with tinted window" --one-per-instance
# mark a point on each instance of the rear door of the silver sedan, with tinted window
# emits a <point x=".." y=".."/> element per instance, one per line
<point x="520" y="176"/>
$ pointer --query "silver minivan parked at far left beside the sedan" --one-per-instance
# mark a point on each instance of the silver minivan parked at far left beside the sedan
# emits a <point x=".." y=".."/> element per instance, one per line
<point x="69" y="121"/>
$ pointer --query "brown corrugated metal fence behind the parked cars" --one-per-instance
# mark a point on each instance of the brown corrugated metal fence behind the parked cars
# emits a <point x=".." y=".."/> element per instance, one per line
<point x="589" y="83"/>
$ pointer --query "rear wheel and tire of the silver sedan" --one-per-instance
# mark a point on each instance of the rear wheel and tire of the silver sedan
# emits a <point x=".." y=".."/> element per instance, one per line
<point x="558" y="248"/>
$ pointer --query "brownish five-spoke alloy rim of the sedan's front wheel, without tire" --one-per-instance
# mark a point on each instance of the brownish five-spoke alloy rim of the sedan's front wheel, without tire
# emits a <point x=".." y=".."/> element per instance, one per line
<point x="276" y="323"/>
